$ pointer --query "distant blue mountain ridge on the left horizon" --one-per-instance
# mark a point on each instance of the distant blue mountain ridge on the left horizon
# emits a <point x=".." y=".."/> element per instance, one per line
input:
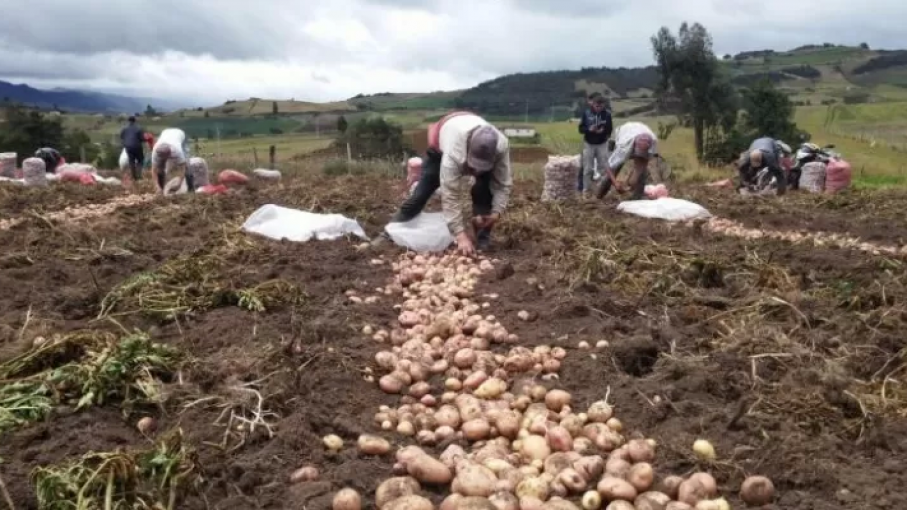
<point x="78" y="100"/>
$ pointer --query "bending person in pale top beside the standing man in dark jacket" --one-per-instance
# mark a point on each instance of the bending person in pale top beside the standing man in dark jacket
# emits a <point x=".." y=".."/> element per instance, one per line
<point x="634" y="141"/>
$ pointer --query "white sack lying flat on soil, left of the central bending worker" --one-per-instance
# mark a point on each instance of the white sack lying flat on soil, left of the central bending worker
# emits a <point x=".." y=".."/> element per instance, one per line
<point x="275" y="222"/>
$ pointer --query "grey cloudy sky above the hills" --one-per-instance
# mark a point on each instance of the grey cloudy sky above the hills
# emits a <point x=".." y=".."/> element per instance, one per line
<point x="206" y="51"/>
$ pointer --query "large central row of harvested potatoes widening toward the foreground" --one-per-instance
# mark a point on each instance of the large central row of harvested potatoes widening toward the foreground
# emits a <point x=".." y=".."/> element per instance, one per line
<point x="507" y="442"/>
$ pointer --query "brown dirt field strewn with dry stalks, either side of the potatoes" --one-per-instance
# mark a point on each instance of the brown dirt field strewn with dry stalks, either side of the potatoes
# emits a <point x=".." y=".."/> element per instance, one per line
<point x="789" y="358"/>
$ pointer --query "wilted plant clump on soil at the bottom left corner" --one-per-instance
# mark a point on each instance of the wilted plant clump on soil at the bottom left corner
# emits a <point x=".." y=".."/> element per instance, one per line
<point x="152" y="479"/>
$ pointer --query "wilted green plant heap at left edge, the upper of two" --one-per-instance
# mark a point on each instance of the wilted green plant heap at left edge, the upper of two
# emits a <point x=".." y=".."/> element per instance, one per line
<point x="82" y="369"/>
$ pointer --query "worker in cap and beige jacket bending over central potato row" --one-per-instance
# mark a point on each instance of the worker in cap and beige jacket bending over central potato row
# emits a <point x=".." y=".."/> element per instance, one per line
<point x="461" y="146"/>
